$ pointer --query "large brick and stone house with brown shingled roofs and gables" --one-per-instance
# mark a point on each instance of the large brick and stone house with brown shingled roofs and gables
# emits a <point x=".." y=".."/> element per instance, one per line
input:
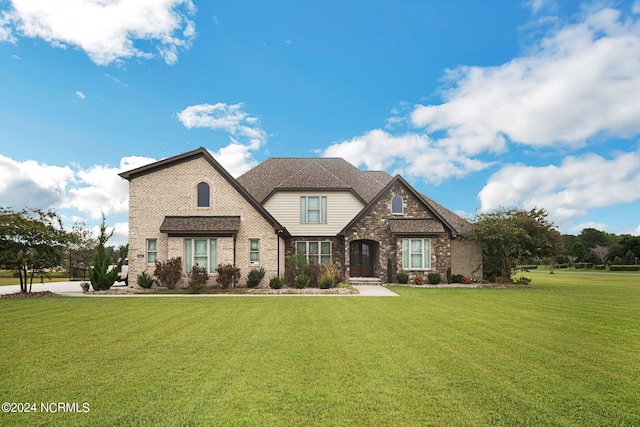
<point x="324" y="208"/>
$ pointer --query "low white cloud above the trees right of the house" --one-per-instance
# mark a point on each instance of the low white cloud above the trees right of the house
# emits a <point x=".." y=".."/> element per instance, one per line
<point x="567" y="190"/>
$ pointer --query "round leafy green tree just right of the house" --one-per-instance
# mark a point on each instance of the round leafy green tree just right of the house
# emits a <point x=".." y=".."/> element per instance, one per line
<point x="508" y="235"/>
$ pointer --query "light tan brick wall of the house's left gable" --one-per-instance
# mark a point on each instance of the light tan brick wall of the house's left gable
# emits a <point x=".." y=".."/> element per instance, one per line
<point x="172" y="191"/>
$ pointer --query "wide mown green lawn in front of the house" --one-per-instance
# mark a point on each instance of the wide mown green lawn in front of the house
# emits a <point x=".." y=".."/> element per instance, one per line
<point x="564" y="352"/>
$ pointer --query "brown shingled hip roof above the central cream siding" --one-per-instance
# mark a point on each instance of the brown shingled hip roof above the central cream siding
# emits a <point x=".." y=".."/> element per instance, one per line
<point x="281" y="173"/>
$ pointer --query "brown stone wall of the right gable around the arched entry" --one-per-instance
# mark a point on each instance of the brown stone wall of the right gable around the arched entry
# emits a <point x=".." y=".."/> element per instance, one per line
<point x="374" y="226"/>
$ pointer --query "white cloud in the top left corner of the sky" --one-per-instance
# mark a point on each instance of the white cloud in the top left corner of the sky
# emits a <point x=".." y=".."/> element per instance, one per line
<point x="106" y="30"/>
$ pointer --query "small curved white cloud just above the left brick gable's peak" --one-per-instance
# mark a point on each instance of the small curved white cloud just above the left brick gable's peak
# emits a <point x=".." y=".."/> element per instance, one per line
<point x="244" y="132"/>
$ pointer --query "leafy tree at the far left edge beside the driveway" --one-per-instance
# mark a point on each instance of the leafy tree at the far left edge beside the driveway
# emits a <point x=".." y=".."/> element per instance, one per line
<point x="31" y="241"/>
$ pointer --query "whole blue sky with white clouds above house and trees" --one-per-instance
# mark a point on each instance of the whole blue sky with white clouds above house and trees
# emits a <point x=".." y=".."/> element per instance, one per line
<point x="478" y="104"/>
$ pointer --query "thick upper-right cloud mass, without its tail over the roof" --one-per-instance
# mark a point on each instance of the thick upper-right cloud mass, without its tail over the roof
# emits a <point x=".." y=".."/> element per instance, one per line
<point x="581" y="81"/>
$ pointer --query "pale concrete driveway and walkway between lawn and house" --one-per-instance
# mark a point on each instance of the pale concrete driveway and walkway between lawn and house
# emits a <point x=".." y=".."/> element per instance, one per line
<point x="74" y="289"/>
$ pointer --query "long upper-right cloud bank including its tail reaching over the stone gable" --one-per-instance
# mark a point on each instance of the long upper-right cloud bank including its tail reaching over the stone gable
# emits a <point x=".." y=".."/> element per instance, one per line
<point x="579" y="83"/>
